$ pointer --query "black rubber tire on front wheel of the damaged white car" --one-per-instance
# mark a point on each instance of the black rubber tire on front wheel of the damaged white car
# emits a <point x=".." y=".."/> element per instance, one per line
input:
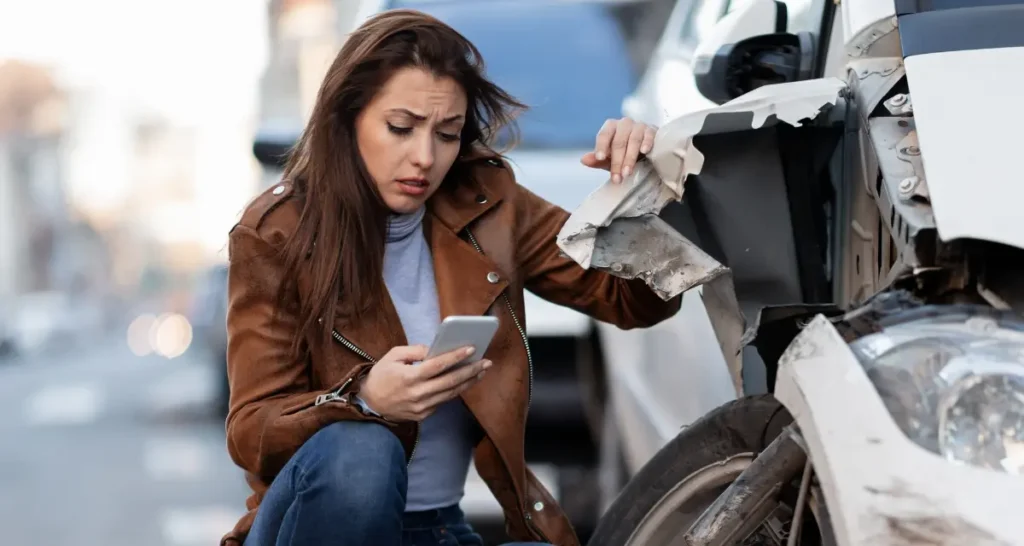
<point x="745" y="426"/>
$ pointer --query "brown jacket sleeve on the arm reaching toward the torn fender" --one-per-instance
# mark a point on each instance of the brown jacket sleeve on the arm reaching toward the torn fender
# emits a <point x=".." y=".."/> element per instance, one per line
<point x="626" y="304"/>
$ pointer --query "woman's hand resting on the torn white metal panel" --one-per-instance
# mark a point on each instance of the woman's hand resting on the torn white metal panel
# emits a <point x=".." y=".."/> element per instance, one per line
<point x="620" y="144"/>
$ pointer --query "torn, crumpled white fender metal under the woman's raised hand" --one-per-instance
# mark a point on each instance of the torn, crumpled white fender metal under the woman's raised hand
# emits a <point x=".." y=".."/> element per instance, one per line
<point x="617" y="230"/>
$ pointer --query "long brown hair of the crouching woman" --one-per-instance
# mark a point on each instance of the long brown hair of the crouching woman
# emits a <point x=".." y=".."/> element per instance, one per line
<point x="340" y="237"/>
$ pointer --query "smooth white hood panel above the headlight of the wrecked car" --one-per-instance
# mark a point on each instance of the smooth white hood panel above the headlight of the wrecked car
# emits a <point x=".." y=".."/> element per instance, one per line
<point x="969" y="119"/>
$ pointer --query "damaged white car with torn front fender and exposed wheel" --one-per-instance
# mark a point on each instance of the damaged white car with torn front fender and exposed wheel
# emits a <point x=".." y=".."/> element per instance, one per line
<point x="890" y="198"/>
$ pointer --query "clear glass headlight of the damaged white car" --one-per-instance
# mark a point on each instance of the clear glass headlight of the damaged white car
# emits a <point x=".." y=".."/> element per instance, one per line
<point x="955" y="385"/>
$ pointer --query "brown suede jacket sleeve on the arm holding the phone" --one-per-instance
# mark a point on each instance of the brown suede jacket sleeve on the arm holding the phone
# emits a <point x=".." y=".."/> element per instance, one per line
<point x="273" y="408"/>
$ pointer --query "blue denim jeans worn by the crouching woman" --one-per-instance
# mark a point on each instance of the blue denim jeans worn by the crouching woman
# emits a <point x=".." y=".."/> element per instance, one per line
<point x="347" y="487"/>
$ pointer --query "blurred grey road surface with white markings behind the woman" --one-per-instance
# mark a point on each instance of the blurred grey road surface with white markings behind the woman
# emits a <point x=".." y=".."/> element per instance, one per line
<point x="105" y="448"/>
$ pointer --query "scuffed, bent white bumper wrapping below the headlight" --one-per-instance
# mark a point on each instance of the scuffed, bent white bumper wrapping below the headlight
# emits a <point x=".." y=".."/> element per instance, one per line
<point x="880" y="487"/>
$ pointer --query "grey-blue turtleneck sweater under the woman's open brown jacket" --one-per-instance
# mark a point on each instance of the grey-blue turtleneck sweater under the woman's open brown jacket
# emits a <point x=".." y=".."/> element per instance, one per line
<point x="438" y="472"/>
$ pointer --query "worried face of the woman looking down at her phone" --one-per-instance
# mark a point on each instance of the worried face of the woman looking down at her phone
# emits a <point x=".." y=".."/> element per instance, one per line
<point x="409" y="137"/>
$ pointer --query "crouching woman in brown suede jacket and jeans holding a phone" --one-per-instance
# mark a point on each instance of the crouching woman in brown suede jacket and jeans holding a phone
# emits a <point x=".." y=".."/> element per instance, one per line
<point x="395" y="214"/>
